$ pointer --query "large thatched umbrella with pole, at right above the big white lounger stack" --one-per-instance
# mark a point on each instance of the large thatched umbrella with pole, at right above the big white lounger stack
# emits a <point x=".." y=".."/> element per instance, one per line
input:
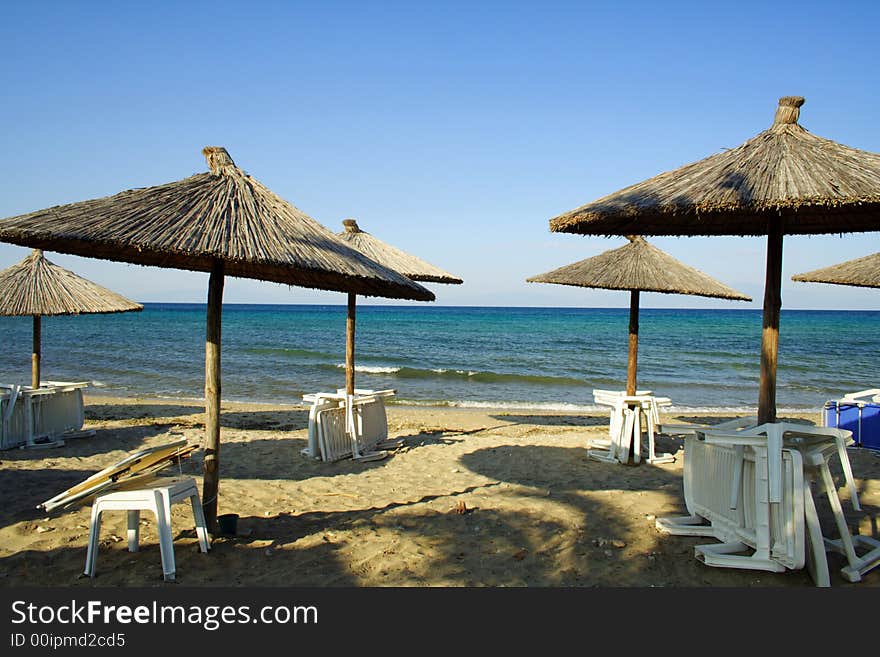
<point x="784" y="180"/>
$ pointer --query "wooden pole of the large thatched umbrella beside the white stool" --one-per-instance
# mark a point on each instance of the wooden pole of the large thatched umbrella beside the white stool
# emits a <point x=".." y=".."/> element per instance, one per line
<point x="212" y="396"/>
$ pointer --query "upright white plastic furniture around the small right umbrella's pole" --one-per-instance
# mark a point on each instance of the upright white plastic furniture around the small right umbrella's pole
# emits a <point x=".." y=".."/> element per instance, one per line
<point x="630" y="417"/>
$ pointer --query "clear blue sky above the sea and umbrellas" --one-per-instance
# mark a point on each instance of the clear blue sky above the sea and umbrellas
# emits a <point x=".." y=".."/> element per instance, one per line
<point x="453" y="130"/>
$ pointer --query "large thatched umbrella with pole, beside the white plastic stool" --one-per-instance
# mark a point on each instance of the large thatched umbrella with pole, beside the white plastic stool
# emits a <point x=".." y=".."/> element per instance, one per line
<point x="223" y="222"/>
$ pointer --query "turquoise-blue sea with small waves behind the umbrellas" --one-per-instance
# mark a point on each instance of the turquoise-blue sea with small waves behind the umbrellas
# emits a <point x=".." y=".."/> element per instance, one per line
<point x="459" y="356"/>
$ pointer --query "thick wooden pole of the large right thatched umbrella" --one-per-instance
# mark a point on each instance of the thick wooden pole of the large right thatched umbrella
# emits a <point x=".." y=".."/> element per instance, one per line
<point x="770" y="333"/>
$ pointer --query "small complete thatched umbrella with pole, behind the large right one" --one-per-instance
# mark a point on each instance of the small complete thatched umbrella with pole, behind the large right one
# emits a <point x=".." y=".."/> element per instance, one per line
<point x="638" y="266"/>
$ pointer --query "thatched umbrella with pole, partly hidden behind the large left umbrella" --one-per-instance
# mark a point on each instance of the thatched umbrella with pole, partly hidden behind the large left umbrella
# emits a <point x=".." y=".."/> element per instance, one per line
<point x="389" y="256"/>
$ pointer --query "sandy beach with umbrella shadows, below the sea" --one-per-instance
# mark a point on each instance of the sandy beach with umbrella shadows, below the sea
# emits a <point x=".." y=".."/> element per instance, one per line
<point x="471" y="498"/>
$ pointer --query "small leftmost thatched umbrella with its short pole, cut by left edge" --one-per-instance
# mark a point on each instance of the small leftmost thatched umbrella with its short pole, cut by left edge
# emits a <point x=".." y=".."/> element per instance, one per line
<point x="38" y="287"/>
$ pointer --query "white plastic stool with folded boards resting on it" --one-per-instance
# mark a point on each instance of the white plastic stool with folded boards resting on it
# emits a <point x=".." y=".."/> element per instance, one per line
<point x="156" y="496"/>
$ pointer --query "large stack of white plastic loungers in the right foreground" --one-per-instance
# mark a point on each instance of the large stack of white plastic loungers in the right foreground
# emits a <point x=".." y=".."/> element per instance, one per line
<point x="750" y="487"/>
